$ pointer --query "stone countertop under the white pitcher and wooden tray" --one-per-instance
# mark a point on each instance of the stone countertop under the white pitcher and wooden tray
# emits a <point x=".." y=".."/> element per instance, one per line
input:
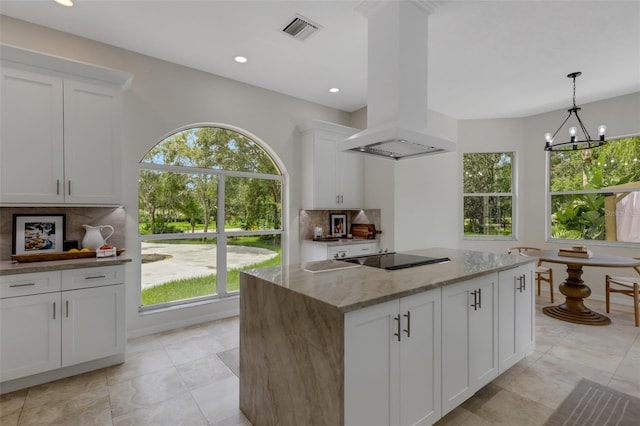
<point x="8" y="267"/>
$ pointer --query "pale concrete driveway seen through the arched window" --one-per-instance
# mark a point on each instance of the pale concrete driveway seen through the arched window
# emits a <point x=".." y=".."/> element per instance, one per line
<point x="193" y="260"/>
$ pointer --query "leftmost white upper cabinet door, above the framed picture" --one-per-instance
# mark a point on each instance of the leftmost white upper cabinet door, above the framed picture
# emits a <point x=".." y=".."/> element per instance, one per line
<point x="31" y="137"/>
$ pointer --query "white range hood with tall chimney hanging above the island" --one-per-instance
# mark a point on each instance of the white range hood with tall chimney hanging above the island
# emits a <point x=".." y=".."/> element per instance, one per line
<point x="397" y="83"/>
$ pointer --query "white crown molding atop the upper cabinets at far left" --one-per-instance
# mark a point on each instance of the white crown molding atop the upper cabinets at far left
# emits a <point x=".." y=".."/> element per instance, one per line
<point x="64" y="65"/>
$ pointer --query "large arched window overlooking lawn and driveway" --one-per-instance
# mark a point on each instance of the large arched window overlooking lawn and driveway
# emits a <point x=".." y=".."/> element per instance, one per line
<point x="210" y="204"/>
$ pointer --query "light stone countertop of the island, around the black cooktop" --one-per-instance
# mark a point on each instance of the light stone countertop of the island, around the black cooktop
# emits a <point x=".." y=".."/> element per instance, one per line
<point x="354" y="288"/>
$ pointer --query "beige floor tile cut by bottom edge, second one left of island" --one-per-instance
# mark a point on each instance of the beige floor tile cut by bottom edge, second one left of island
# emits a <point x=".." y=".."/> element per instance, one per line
<point x="179" y="411"/>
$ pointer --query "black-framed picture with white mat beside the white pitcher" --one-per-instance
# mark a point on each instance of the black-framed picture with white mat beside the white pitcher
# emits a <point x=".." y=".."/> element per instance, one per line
<point x="42" y="233"/>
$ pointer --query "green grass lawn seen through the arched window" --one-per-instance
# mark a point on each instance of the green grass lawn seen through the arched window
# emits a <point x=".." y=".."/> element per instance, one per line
<point x="206" y="285"/>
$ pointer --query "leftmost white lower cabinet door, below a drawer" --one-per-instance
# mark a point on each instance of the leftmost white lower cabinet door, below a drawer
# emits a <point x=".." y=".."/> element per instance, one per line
<point x="30" y="335"/>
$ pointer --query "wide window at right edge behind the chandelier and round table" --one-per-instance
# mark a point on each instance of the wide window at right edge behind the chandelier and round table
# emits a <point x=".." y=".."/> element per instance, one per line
<point x="595" y="193"/>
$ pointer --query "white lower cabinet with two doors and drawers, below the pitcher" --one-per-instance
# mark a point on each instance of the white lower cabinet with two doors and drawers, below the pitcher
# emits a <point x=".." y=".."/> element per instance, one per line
<point x="51" y="320"/>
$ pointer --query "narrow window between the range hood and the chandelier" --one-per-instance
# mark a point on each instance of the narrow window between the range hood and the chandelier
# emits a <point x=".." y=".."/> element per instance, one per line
<point x="488" y="195"/>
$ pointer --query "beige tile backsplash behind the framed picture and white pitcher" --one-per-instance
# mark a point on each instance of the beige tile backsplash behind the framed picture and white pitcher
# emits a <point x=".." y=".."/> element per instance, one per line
<point x="75" y="218"/>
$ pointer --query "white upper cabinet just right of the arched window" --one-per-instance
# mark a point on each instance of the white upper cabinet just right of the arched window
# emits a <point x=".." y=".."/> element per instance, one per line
<point x="331" y="179"/>
